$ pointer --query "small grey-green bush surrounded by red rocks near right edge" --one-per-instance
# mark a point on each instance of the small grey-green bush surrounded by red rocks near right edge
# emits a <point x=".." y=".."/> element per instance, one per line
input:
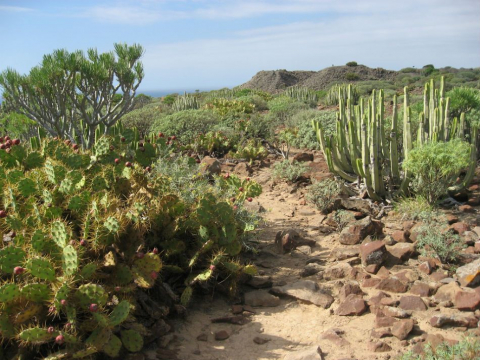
<point x="434" y="242"/>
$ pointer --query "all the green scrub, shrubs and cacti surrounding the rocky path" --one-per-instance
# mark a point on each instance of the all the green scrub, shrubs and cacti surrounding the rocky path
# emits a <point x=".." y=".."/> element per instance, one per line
<point x="105" y="198"/>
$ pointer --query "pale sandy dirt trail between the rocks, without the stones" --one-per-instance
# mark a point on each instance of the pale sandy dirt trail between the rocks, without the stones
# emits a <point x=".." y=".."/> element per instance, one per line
<point x="294" y="329"/>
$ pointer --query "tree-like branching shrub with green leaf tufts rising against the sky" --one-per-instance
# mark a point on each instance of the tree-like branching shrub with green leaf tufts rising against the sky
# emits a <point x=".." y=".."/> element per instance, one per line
<point x="52" y="95"/>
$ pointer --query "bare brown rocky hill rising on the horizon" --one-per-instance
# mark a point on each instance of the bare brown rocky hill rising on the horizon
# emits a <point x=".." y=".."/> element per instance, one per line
<point x="276" y="80"/>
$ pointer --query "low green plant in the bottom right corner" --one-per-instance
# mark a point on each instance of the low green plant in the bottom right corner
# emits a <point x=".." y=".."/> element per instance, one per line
<point x="466" y="349"/>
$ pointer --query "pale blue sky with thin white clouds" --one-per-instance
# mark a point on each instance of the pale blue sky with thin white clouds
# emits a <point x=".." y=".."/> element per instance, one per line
<point x="208" y="44"/>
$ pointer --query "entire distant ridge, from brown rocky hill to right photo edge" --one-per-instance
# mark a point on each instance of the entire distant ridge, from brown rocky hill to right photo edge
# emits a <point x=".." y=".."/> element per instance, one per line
<point x="275" y="81"/>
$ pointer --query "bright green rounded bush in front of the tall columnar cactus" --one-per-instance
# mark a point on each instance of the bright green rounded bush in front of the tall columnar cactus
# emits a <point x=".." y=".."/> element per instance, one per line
<point x="435" y="167"/>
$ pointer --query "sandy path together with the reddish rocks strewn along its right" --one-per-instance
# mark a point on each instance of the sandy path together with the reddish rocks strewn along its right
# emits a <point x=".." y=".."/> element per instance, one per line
<point x="363" y="292"/>
